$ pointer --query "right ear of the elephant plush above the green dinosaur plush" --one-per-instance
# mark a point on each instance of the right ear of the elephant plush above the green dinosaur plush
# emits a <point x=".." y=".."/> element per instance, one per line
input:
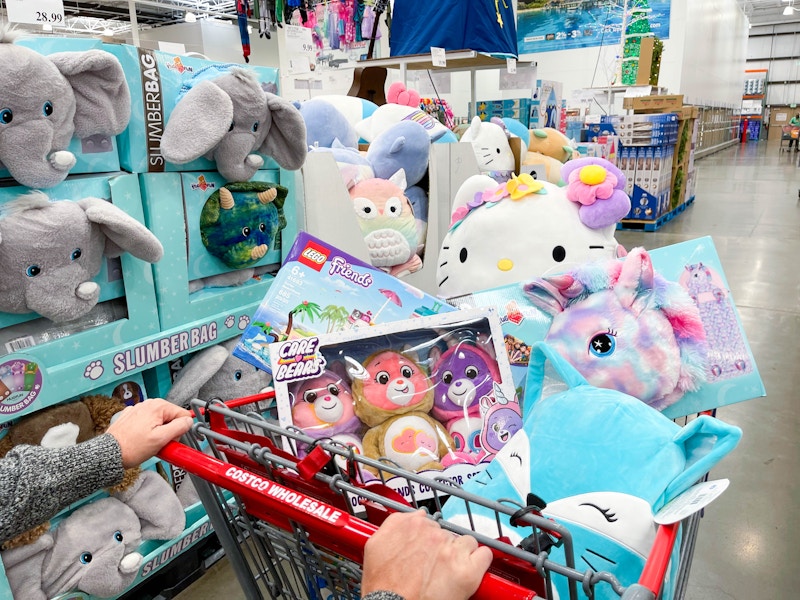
<point x="286" y="138"/>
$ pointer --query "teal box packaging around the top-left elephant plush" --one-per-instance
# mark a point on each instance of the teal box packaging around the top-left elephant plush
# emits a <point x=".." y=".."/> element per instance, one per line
<point x="97" y="154"/>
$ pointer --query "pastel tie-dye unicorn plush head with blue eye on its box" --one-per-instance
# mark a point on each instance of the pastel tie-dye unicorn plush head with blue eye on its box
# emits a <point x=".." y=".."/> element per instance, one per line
<point x="624" y="327"/>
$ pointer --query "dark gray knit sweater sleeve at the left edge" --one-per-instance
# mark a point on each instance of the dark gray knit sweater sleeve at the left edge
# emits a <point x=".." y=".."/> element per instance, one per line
<point x="36" y="483"/>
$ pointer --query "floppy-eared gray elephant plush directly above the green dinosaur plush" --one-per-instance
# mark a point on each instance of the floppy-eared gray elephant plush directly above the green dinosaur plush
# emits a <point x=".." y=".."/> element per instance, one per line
<point x="229" y="118"/>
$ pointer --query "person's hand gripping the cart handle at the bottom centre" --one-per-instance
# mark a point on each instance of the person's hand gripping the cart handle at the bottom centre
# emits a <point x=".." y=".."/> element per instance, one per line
<point x="412" y="556"/>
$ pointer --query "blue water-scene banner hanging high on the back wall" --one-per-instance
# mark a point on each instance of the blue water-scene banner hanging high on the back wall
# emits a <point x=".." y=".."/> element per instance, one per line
<point x="546" y="25"/>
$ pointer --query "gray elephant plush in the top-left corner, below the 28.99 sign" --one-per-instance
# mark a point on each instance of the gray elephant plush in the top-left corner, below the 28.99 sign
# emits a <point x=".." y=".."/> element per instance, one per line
<point x="46" y="100"/>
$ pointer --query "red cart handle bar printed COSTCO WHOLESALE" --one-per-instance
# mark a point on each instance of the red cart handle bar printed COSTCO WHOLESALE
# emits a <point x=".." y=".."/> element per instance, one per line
<point x="325" y="524"/>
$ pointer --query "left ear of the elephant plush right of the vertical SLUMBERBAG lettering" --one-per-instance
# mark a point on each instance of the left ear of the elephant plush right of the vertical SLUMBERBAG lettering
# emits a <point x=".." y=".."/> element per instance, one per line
<point x="197" y="124"/>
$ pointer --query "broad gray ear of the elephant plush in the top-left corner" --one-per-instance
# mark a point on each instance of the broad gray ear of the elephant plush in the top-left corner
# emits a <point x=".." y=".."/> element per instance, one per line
<point x="102" y="98"/>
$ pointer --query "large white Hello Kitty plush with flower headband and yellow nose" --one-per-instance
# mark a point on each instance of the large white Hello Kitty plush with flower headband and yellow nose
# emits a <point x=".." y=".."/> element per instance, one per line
<point x="504" y="234"/>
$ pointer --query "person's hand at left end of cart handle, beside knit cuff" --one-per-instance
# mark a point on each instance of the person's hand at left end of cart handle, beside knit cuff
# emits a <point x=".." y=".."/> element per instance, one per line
<point x="143" y="429"/>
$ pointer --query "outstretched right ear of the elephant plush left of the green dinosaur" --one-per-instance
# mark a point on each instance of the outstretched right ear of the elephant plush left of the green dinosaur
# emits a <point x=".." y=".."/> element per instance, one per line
<point x="123" y="232"/>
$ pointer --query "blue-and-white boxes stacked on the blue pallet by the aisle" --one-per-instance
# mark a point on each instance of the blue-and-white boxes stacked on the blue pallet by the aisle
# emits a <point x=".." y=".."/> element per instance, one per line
<point x="646" y="157"/>
